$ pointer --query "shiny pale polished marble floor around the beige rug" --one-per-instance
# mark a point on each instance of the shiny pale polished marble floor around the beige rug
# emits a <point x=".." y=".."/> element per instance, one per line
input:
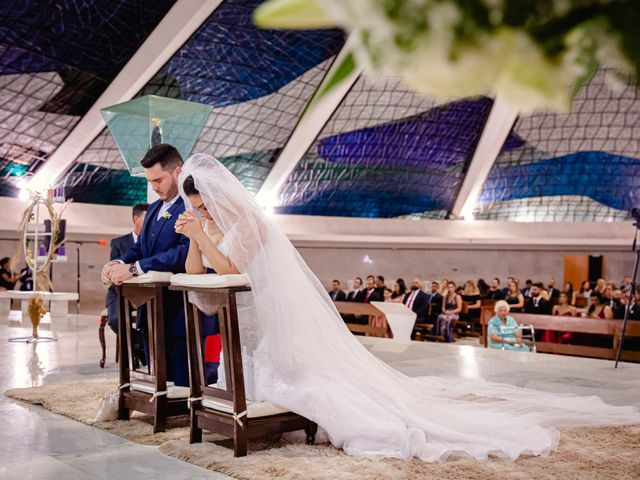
<point x="37" y="444"/>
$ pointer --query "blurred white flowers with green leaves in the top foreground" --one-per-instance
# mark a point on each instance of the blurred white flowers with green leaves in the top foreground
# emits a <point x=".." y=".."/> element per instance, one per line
<point x="442" y="50"/>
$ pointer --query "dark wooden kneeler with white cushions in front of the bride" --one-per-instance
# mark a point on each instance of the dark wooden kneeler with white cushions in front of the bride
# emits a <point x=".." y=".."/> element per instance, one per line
<point x="227" y="412"/>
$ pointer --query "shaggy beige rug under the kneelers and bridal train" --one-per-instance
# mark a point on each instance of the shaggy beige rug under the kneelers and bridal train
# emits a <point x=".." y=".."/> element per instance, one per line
<point x="585" y="453"/>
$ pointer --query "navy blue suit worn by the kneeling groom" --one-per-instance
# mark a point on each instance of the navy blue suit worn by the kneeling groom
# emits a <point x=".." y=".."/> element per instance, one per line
<point x="160" y="248"/>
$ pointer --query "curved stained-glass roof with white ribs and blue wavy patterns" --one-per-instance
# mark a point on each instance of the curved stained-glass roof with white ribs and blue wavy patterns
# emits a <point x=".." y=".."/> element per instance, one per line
<point x="372" y="149"/>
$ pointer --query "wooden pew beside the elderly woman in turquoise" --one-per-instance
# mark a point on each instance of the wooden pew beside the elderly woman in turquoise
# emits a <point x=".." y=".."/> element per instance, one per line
<point x="611" y="328"/>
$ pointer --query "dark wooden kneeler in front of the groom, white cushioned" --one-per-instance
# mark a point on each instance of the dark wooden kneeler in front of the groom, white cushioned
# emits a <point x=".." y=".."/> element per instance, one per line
<point x="150" y="392"/>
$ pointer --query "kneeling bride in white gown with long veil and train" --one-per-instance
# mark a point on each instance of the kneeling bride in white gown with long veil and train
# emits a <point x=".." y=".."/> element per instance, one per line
<point x="305" y="359"/>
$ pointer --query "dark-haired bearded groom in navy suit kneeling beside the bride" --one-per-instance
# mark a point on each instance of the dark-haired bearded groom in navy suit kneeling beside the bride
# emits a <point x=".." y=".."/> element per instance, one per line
<point x="161" y="249"/>
